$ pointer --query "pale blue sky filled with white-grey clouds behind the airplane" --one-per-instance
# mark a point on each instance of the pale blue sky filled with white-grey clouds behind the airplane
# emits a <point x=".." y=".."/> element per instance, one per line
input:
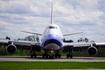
<point x="87" y="16"/>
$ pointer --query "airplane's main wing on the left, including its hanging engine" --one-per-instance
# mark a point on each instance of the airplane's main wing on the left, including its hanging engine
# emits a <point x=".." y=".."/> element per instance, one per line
<point x="12" y="46"/>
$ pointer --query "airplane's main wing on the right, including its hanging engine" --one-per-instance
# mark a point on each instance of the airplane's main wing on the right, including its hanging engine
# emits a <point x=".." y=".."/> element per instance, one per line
<point x="91" y="47"/>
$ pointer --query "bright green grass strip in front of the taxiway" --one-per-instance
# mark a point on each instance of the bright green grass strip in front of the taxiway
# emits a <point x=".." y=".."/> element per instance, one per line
<point x="51" y="65"/>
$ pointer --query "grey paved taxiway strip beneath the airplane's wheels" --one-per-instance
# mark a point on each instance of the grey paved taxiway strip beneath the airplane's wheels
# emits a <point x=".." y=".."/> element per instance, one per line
<point x="64" y="59"/>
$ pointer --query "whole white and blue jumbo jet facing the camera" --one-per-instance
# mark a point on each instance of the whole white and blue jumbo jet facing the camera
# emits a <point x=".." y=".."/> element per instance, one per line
<point x="51" y="42"/>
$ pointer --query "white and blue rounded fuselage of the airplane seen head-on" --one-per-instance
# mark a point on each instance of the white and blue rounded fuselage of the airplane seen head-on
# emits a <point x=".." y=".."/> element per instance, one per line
<point x="52" y="38"/>
